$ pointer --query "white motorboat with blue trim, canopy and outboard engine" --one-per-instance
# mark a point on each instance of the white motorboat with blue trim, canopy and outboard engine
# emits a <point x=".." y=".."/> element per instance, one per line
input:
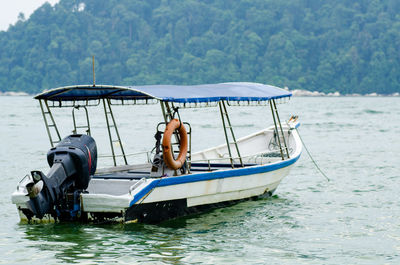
<point x="173" y="180"/>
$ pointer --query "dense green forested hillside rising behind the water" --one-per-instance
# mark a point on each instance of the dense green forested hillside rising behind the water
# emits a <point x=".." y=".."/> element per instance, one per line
<point x="317" y="45"/>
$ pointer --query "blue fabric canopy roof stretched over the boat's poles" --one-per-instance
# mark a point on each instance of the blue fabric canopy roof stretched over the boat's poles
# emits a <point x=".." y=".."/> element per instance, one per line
<point x="236" y="91"/>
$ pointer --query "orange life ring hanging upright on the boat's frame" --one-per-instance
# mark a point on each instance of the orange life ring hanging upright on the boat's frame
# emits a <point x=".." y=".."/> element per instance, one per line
<point x="166" y="145"/>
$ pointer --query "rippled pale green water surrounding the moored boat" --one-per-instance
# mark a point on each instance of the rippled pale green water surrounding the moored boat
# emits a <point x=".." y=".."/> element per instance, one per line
<point x="353" y="219"/>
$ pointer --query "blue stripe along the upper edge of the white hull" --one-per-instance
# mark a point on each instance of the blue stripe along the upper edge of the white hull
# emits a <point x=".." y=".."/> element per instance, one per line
<point x="168" y="181"/>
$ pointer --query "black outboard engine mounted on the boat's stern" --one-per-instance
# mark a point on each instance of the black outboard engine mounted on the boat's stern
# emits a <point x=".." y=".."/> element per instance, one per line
<point x="73" y="162"/>
